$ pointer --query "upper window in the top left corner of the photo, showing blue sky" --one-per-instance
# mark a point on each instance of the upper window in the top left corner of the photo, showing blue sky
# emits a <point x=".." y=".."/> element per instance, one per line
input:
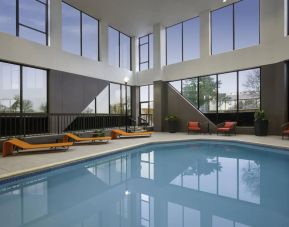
<point x="27" y="19"/>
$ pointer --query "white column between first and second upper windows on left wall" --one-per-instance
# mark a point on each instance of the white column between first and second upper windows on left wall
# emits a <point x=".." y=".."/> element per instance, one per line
<point x="55" y="28"/>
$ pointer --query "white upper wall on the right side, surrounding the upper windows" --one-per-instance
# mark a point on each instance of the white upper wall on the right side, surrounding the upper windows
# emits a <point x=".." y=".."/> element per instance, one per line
<point x="273" y="48"/>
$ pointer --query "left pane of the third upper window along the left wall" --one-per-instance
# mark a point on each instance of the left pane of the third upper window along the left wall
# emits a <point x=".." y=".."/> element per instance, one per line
<point x="113" y="47"/>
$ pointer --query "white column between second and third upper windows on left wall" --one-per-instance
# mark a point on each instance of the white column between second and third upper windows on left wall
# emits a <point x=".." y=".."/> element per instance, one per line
<point x="103" y="42"/>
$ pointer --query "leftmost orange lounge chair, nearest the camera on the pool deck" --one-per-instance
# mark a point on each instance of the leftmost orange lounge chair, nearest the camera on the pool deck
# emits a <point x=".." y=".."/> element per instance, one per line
<point x="15" y="144"/>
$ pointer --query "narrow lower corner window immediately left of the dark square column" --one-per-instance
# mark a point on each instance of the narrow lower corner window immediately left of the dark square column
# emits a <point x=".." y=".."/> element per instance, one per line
<point x="147" y="103"/>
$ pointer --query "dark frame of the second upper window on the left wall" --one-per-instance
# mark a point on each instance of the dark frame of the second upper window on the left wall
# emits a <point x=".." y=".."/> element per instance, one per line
<point x="81" y="32"/>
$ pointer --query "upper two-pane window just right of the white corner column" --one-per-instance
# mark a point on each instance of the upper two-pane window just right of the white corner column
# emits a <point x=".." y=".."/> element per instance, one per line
<point x="183" y="41"/>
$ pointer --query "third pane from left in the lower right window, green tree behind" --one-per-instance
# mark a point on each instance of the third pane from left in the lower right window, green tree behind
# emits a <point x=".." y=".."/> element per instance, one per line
<point x="208" y="94"/>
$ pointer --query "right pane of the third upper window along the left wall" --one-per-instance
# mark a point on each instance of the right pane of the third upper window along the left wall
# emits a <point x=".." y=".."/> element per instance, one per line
<point x="124" y="51"/>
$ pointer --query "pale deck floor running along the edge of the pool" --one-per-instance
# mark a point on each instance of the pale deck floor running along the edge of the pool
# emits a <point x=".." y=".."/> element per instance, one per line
<point x="31" y="161"/>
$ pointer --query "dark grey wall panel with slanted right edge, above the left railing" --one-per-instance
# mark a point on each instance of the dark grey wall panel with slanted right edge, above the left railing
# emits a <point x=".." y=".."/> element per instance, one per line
<point x="71" y="93"/>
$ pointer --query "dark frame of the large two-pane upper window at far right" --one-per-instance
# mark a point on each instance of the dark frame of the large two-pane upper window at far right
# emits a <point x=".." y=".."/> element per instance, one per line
<point x="234" y="25"/>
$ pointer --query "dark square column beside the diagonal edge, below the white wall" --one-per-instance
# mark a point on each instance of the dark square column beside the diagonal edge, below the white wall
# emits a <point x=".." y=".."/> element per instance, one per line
<point x="160" y="105"/>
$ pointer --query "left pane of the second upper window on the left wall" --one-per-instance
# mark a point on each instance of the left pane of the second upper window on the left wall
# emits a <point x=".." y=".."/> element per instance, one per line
<point x="70" y="29"/>
